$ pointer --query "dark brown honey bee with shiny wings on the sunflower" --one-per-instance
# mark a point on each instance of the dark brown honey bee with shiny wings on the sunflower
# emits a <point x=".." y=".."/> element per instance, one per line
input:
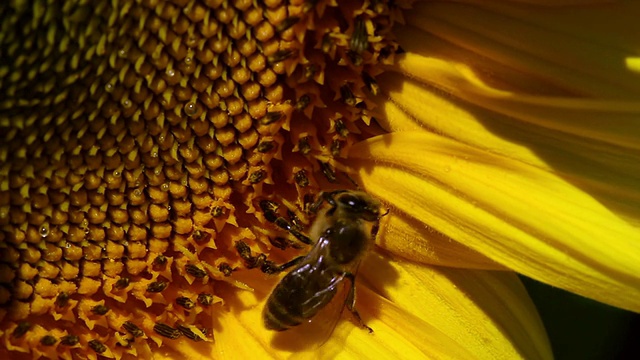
<point x="345" y="230"/>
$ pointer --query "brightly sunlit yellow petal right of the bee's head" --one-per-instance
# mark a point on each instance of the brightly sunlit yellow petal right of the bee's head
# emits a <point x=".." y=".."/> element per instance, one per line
<point x="519" y="215"/>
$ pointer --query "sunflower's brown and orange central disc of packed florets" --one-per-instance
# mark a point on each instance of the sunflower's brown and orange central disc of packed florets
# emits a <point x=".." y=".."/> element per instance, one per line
<point x="132" y="131"/>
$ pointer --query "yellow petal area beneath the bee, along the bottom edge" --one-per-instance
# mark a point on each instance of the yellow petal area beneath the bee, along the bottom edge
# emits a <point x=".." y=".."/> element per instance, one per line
<point x="416" y="311"/>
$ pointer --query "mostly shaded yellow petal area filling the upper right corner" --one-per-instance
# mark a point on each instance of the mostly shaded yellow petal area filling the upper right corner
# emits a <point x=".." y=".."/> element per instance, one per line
<point x="507" y="99"/>
